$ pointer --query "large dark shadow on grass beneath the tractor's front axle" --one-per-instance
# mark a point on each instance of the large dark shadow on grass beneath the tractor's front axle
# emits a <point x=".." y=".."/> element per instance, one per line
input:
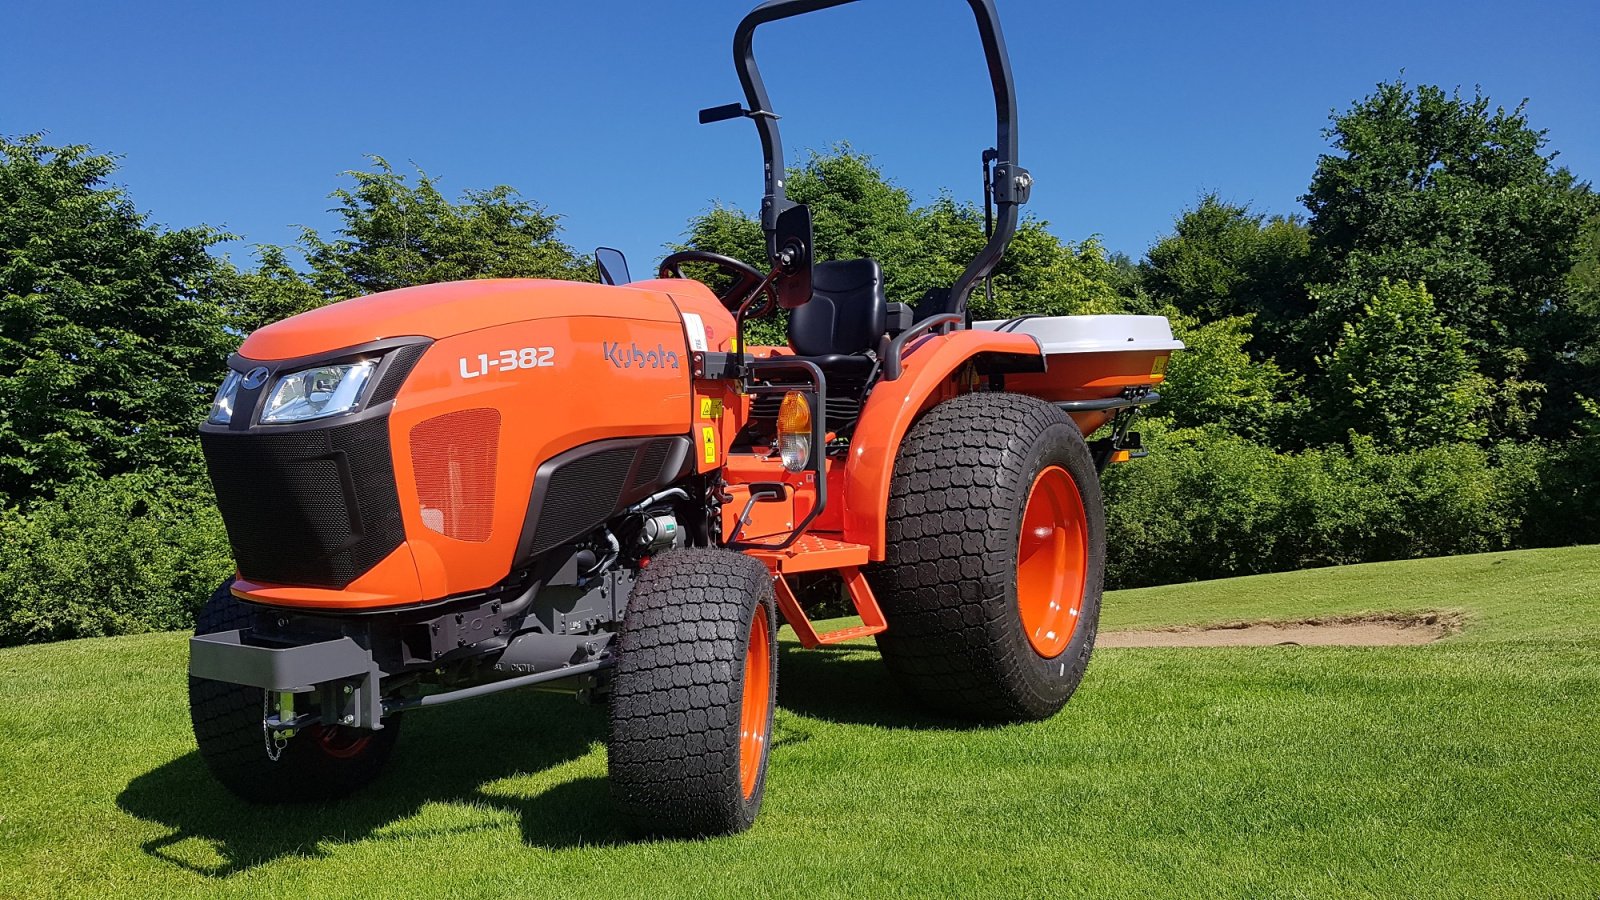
<point x="446" y="757"/>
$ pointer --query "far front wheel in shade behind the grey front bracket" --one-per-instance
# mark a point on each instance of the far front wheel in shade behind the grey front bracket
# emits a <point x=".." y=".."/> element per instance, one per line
<point x="319" y="763"/>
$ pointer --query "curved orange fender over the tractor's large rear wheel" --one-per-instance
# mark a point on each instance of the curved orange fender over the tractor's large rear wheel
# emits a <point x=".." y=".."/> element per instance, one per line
<point x="927" y="379"/>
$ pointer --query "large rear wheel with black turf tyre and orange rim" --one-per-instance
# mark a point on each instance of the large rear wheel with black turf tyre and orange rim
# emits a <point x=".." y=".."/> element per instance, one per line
<point x="991" y="581"/>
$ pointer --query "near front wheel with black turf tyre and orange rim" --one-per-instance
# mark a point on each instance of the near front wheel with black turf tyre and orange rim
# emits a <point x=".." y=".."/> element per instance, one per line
<point x="692" y="694"/>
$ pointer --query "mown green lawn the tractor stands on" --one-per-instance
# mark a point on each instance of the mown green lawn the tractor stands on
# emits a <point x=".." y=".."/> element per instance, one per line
<point x="1465" y="768"/>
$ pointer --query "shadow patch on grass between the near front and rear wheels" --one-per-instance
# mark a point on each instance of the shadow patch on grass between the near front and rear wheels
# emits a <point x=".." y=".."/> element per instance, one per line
<point x="849" y="685"/>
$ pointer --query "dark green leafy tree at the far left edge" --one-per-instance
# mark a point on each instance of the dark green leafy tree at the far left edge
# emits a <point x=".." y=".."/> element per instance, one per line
<point x="111" y="329"/>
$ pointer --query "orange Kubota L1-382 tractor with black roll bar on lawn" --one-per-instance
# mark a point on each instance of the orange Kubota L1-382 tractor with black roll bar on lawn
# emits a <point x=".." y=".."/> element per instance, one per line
<point x="454" y="491"/>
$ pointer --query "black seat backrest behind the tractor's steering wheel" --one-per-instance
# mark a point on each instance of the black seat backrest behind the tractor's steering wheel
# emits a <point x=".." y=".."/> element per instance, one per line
<point x="847" y="313"/>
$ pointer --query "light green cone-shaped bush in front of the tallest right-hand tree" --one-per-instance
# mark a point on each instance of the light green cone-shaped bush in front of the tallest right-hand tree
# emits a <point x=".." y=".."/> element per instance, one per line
<point x="1402" y="377"/>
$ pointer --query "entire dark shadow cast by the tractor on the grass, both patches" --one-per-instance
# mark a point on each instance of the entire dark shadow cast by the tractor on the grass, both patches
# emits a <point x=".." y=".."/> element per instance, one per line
<point x="465" y="755"/>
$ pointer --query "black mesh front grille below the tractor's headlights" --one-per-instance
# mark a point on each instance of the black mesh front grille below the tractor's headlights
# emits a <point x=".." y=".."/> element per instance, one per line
<point x="313" y="508"/>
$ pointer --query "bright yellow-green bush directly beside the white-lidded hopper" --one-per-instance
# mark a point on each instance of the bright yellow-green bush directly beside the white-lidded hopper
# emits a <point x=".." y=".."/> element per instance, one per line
<point x="1215" y="382"/>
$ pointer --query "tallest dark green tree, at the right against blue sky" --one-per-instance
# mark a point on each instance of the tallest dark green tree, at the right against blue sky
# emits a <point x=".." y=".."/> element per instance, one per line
<point x="1439" y="190"/>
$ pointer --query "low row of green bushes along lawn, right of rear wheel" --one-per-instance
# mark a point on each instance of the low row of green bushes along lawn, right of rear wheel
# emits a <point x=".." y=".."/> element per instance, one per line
<point x="1212" y="505"/>
